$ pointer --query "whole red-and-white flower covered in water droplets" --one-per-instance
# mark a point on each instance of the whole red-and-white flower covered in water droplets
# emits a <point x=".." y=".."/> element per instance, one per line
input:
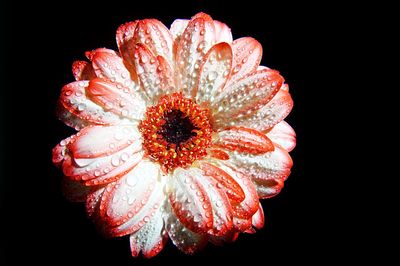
<point x="180" y="134"/>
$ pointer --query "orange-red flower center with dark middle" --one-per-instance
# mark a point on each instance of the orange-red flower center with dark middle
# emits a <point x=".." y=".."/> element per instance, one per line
<point x="176" y="132"/>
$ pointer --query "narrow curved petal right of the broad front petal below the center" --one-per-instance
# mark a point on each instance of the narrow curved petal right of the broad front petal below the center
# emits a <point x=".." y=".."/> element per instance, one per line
<point x="221" y="208"/>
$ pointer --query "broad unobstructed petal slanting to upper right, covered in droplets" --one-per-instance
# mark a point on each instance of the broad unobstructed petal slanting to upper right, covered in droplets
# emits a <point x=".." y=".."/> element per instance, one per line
<point x="246" y="96"/>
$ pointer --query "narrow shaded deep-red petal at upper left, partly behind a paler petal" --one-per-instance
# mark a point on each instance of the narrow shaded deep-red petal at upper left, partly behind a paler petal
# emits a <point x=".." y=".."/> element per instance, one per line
<point x="126" y="45"/>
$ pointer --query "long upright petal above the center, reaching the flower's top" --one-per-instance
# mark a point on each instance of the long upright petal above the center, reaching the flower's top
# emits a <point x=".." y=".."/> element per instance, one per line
<point x="197" y="39"/>
